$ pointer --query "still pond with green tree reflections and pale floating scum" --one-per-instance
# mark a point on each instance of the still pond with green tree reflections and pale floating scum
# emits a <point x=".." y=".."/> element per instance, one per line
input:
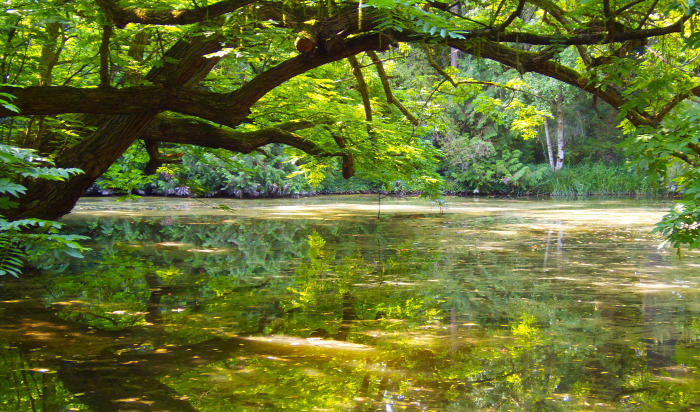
<point x="355" y="303"/>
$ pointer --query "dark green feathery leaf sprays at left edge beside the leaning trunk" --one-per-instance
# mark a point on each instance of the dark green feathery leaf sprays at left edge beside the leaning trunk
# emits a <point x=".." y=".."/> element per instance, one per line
<point x="33" y="239"/>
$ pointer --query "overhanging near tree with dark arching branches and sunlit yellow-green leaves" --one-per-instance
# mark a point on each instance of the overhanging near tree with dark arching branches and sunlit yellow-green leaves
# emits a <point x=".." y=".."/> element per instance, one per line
<point x="83" y="80"/>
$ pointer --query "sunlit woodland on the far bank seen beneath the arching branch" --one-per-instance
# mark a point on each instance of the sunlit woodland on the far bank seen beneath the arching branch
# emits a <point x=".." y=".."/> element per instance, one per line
<point x="519" y="135"/>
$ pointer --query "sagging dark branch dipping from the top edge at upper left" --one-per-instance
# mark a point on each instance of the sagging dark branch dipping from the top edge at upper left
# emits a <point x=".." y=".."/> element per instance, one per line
<point x="121" y="16"/>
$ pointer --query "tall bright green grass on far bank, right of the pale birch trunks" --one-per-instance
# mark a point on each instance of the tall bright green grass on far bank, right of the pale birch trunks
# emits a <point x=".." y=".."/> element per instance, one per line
<point x="599" y="179"/>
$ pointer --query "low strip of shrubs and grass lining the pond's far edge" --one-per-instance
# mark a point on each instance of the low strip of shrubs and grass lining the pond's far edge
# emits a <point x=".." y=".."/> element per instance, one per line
<point x="583" y="180"/>
